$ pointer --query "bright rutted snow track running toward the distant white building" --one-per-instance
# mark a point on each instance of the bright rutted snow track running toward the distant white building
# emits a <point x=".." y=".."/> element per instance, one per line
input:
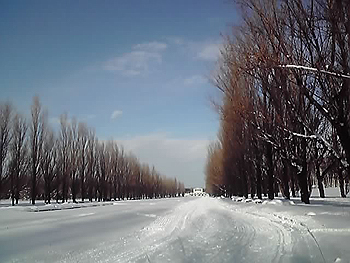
<point x="210" y="230"/>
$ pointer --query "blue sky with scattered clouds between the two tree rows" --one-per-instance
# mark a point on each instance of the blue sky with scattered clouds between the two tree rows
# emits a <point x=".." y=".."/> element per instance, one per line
<point x="136" y="71"/>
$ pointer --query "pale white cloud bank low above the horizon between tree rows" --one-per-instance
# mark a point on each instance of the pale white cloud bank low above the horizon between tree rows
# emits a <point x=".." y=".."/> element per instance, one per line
<point x="174" y="157"/>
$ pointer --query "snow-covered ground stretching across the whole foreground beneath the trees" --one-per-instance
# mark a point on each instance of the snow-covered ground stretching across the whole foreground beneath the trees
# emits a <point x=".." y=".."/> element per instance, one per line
<point x="201" y="229"/>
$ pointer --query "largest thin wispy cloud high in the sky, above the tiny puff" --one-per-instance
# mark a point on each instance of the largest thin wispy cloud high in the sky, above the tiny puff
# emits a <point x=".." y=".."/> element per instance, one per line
<point x="138" y="61"/>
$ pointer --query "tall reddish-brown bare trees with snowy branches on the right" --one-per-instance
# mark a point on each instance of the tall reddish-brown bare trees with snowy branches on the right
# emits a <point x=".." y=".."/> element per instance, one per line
<point x="285" y="112"/>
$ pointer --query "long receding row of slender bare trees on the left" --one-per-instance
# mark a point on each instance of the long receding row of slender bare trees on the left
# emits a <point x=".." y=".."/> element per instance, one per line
<point x="37" y="163"/>
